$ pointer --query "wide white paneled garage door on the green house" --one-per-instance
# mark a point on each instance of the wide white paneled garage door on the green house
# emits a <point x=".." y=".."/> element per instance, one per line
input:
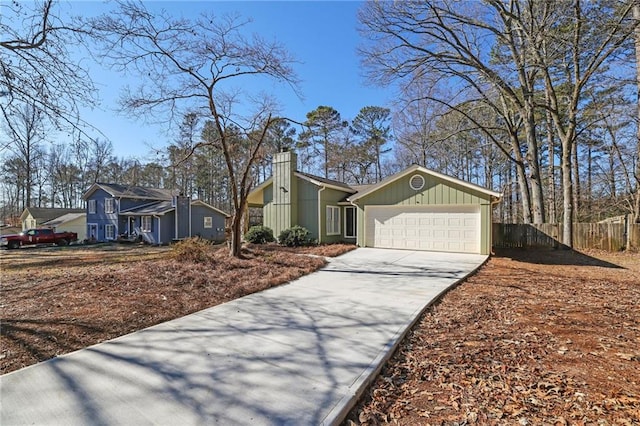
<point x="436" y="228"/>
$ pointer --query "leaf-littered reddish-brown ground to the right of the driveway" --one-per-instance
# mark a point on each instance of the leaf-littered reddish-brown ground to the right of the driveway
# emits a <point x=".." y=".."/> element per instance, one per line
<point x="534" y="338"/>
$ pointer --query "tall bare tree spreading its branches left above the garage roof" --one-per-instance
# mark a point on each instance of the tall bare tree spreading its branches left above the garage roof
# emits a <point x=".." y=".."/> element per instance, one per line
<point x="447" y="41"/>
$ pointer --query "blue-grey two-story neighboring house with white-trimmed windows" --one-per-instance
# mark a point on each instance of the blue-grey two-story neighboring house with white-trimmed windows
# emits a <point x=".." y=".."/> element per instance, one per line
<point x="157" y="216"/>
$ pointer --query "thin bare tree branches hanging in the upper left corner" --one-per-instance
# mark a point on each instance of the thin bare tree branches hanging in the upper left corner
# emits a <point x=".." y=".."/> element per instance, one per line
<point x="36" y="66"/>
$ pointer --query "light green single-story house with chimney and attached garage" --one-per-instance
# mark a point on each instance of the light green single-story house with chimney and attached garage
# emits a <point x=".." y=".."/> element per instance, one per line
<point x="416" y="209"/>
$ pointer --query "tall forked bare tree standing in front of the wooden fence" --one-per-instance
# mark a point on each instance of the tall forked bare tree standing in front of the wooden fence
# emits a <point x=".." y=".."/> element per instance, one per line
<point x="593" y="33"/>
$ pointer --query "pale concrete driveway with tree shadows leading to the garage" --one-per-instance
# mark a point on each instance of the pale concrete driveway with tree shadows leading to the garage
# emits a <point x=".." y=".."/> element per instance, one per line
<point x="299" y="354"/>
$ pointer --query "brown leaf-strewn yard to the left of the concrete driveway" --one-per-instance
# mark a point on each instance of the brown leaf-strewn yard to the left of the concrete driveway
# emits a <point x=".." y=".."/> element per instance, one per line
<point x="57" y="300"/>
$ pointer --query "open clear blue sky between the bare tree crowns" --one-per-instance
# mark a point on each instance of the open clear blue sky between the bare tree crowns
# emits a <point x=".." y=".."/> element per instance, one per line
<point x="321" y="35"/>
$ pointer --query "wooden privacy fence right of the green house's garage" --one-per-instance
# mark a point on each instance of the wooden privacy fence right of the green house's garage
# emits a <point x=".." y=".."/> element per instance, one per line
<point x="604" y="236"/>
